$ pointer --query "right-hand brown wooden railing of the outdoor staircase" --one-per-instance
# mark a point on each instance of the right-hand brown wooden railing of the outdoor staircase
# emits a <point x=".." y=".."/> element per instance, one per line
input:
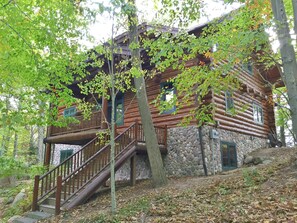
<point x="69" y="181"/>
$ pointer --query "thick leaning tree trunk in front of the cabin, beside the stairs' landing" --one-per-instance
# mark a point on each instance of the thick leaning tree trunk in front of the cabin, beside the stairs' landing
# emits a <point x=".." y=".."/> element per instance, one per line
<point x="154" y="154"/>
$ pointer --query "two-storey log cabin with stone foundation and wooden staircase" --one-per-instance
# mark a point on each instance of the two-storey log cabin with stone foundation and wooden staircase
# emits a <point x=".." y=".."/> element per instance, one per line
<point x="81" y="160"/>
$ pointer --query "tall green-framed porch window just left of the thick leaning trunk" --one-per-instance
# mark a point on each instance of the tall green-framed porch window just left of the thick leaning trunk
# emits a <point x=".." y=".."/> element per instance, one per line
<point x="119" y="110"/>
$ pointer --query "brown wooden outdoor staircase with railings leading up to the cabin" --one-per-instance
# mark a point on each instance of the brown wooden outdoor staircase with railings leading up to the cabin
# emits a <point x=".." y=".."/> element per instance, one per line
<point x="77" y="178"/>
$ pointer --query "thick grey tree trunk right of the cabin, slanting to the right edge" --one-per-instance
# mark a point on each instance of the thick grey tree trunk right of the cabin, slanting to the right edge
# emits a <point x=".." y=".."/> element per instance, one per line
<point x="288" y="57"/>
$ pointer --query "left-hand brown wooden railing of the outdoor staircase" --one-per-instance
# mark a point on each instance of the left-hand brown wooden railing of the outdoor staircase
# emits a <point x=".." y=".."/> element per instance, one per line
<point x="47" y="182"/>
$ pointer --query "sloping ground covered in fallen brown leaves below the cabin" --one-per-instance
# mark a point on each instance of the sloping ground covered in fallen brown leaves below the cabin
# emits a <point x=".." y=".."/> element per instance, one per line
<point x="262" y="193"/>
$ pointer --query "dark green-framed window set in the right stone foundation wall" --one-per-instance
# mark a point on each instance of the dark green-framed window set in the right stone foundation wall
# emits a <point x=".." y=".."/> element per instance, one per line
<point x="229" y="155"/>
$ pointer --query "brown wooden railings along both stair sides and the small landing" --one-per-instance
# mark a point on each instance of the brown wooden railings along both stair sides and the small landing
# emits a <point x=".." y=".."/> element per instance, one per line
<point x="82" y="167"/>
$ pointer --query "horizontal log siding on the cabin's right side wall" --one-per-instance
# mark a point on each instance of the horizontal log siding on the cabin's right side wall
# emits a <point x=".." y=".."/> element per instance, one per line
<point x="243" y="122"/>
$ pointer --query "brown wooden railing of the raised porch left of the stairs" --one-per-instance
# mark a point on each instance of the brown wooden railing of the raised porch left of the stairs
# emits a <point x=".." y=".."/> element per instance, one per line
<point x="93" y="123"/>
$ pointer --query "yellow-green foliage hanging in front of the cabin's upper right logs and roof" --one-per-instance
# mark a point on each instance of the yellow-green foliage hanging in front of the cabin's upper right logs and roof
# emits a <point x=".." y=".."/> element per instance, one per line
<point x="238" y="37"/>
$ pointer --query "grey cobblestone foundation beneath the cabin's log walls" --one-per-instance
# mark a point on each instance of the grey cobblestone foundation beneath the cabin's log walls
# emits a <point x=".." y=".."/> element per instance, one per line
<point x="184" y="156"/>
